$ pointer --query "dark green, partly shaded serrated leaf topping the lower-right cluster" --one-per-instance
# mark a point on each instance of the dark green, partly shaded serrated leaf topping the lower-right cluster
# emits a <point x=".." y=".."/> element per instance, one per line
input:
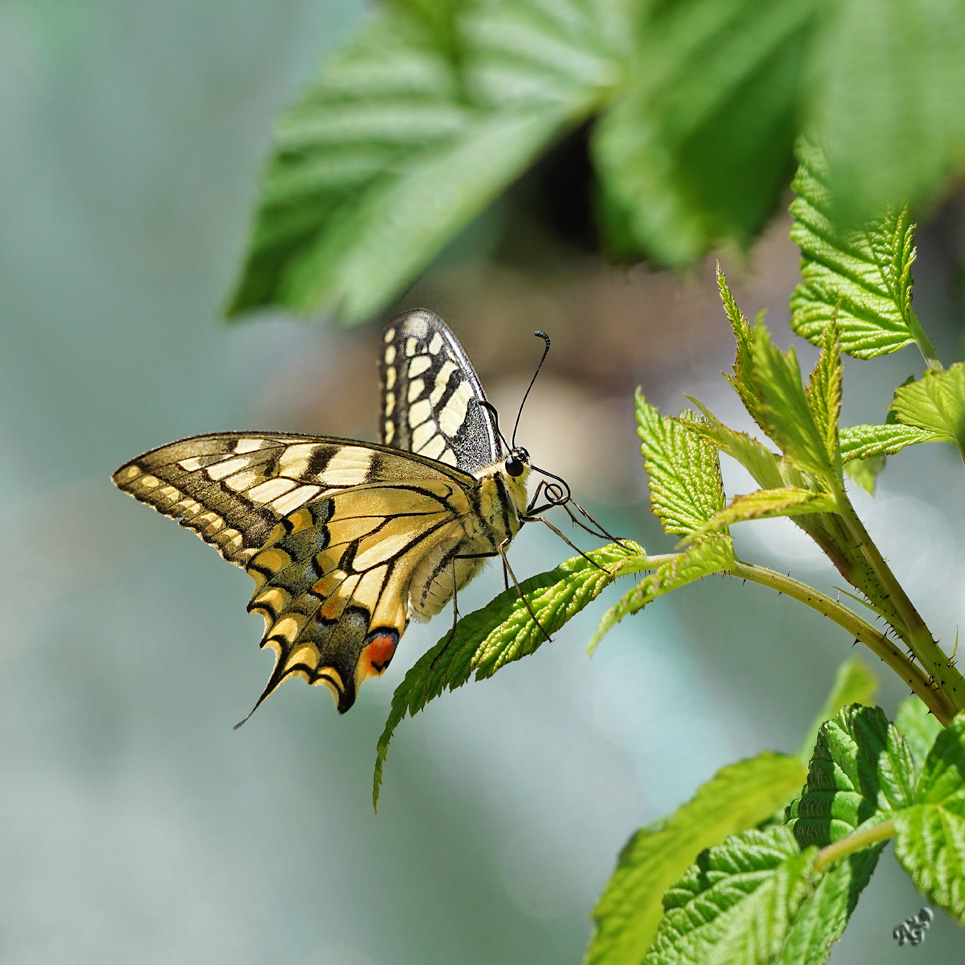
<point x="861" y="771"/>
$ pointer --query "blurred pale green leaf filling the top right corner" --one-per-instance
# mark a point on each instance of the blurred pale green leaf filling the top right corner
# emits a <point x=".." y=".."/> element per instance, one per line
<point x="890" y="75"/>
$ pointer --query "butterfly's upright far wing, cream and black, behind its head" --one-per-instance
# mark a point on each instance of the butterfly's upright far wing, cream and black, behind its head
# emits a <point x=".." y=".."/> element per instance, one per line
<point x="430" y="395"/>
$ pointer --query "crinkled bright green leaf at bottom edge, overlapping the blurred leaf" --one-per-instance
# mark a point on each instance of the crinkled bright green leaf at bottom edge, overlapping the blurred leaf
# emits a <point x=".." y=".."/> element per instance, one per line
<point x="737" y="903"/>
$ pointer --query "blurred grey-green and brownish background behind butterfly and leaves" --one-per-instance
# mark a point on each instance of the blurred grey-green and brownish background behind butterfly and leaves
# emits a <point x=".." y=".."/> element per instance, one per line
<point x="135" y="825"/>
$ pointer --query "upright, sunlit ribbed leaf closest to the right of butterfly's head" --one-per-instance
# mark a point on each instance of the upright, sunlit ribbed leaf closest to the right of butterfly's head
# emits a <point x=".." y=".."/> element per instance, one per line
<point x="685" y="485"/>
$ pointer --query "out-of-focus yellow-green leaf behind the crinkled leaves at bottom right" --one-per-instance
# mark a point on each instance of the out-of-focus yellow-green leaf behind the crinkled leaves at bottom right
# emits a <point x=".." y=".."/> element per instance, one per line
<point x="738" y="797"/>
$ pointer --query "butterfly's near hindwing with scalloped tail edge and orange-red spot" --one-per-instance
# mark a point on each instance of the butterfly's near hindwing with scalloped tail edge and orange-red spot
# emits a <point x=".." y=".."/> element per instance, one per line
<point x="333" y="581"/>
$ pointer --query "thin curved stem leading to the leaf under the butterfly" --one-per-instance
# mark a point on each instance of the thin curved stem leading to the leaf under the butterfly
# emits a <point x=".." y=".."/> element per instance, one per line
<point x="860" y="629"/>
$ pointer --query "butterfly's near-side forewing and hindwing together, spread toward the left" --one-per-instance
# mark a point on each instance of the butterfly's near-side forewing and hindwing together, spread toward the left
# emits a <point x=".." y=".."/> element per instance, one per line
<point x="330" y="530"/>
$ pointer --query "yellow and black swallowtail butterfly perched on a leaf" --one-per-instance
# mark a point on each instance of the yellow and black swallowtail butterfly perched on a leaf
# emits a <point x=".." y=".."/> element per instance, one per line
<point x="347" y="541"/>
